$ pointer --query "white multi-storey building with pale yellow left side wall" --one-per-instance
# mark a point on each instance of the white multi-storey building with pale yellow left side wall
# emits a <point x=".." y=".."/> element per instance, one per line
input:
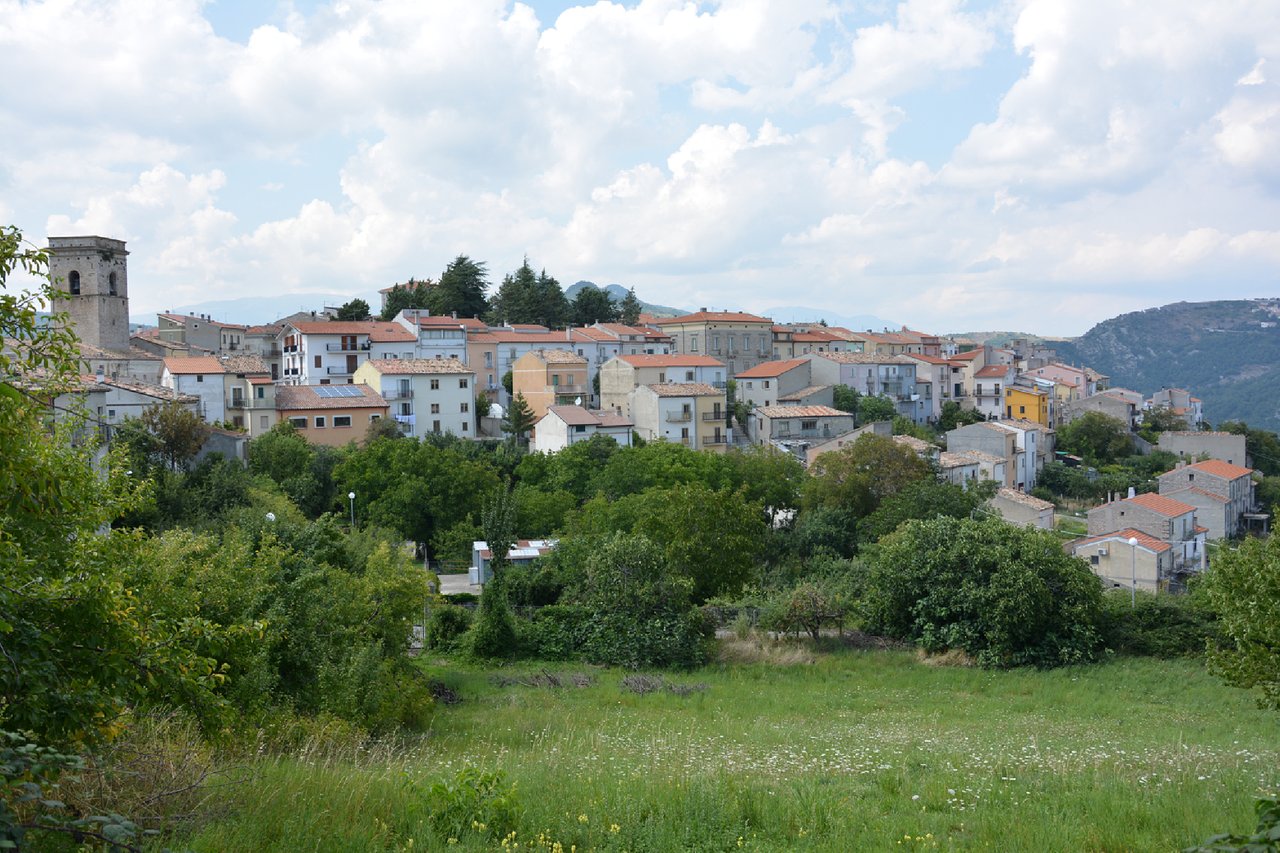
<point x="424" y="395"/>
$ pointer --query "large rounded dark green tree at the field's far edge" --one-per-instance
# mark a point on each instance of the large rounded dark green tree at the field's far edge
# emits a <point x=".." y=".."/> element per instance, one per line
<point x="1004" y="595"/>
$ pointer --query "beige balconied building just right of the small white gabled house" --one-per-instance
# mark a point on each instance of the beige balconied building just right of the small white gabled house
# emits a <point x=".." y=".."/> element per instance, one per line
<point x="688" y="413"/>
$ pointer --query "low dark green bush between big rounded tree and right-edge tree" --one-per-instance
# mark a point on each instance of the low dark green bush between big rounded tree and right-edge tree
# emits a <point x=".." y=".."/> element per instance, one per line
<point x="1159" y="627"/>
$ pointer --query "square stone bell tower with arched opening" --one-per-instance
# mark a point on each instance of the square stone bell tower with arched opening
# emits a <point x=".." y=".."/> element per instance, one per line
<point x="92" y="284"/>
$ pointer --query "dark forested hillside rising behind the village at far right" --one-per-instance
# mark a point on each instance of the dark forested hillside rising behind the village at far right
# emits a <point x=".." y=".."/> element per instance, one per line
<point x="1226" y="353"/>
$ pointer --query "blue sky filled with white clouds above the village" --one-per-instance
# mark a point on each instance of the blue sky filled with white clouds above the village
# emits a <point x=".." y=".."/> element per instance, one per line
<point x="1032" y="166"/>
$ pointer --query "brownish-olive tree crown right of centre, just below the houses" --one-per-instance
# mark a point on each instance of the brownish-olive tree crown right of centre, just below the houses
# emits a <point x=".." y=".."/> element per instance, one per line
<point x="860" y="476"/>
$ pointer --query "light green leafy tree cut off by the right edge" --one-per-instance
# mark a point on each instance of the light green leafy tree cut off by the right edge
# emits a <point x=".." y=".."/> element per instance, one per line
<point x="1244" y="589"/>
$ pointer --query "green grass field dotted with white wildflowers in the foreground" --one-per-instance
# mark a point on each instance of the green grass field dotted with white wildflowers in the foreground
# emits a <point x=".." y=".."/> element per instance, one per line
<point x="854" y="751"/>
